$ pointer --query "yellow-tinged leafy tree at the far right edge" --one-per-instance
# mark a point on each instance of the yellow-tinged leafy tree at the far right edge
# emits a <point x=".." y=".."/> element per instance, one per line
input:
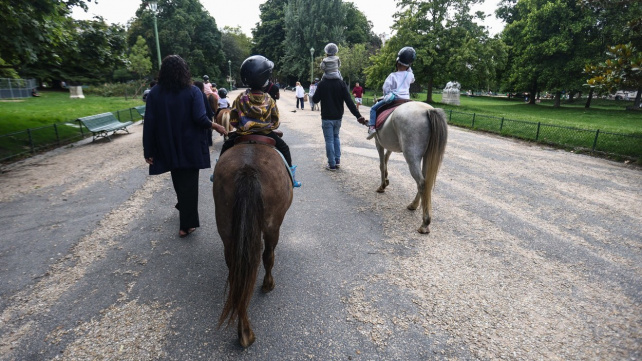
<point x="622" y="70"/>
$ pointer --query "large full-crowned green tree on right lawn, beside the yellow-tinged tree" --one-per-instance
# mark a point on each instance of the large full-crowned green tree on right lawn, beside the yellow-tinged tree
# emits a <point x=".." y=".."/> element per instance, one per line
<point x="549" y="42"/>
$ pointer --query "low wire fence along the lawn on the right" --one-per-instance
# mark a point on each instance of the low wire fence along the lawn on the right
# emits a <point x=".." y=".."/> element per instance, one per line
<point x="595" y="141"/>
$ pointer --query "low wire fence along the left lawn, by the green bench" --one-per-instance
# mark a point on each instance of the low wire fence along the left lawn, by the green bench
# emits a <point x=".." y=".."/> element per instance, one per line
<point x="33" y="140"/>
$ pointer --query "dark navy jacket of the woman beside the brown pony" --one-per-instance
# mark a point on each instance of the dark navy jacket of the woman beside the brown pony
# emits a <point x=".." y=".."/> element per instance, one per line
<point x="175" y="130"/>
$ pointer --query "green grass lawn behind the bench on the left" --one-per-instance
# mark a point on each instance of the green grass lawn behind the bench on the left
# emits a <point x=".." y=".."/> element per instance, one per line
<point x="56" y="107"/>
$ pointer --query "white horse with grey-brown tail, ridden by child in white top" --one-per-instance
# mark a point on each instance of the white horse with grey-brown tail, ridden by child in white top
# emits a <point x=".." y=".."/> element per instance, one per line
<point x="420" y="132"/>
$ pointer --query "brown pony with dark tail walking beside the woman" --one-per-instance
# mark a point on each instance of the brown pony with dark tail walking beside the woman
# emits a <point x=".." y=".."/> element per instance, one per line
<point x="252" y="192"/>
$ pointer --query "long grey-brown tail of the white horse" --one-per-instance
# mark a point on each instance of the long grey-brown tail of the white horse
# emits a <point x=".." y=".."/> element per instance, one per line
<point x="434" y="154"/>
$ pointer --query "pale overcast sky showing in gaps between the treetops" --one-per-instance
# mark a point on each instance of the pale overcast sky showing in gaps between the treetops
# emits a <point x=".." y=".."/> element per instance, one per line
<point x="227" y="13"/>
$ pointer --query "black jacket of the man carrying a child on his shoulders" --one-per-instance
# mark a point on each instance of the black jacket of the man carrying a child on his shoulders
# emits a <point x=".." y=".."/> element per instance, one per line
<point x="332" y="93"/>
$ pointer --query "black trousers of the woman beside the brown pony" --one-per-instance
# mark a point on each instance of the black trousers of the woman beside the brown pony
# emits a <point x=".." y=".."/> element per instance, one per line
<point x="186" y="186"/>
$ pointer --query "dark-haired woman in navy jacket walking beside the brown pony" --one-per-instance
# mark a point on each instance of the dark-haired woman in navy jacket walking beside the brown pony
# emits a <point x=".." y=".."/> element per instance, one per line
<point x="175" y="136"/>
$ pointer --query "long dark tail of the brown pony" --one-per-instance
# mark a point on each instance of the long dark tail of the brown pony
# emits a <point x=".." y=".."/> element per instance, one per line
<point x="246" y="251"/>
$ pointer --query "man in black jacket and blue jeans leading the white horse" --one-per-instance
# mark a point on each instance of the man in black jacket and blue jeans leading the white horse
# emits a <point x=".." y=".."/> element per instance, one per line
<point x="332" y="93"/>
